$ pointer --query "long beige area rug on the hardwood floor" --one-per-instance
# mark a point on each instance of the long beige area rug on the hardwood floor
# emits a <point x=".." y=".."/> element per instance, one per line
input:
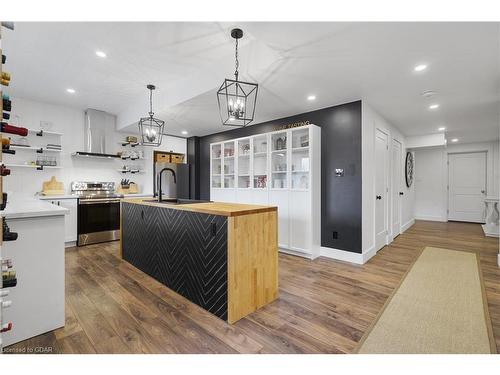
<point x="439" y="307"/>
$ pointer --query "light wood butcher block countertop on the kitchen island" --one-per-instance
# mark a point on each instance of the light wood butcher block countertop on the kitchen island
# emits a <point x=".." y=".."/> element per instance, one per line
<point x="211" y="208"/>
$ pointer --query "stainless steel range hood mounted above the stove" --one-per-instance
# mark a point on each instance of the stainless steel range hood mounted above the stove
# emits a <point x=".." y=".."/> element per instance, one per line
<point x="97" y="129"/>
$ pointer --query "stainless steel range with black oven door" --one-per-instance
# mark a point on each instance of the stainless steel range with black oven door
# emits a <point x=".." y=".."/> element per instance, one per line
<point x="98" y="212"/>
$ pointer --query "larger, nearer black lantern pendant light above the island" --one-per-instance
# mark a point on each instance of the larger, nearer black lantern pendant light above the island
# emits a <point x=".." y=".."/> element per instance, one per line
<point x="237" y="99"/>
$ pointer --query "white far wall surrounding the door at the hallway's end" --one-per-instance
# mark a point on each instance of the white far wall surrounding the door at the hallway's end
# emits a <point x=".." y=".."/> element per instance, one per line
<point x="431" y="171"/>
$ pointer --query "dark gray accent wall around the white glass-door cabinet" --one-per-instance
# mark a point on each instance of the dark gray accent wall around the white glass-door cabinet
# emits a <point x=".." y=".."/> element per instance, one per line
<point x="340" y="148"/>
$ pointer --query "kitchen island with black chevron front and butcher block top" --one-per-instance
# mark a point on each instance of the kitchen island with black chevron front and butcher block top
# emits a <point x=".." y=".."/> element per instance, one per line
<point x="221" y="256"/>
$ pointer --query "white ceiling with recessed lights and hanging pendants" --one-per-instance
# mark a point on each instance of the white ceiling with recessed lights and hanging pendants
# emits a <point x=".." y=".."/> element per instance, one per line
<point x="338" y="62"/>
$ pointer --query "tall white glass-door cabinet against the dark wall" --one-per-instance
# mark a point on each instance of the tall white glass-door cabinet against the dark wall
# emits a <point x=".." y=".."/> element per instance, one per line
<point x="281" y="168"/>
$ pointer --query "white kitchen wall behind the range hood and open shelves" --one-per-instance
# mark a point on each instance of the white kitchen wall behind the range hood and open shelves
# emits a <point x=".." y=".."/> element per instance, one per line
<point x="70" y="121"/>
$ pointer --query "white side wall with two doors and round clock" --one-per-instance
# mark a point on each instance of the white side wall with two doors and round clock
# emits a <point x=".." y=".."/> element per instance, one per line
<point x="371" y="120"/>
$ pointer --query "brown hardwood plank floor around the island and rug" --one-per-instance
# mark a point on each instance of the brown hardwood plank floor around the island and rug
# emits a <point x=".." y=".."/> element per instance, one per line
<point x="325" y="306"/>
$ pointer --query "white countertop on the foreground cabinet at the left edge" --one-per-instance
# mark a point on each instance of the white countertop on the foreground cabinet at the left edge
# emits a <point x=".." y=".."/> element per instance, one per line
<point x="30" y="207"/>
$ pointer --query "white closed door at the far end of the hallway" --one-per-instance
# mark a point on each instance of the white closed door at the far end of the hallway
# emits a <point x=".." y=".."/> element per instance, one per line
<point x="466" y="186"/>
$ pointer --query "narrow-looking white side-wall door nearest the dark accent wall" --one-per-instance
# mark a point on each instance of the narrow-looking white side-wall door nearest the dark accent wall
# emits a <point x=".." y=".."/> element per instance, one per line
<point x="381" y="222"/>
